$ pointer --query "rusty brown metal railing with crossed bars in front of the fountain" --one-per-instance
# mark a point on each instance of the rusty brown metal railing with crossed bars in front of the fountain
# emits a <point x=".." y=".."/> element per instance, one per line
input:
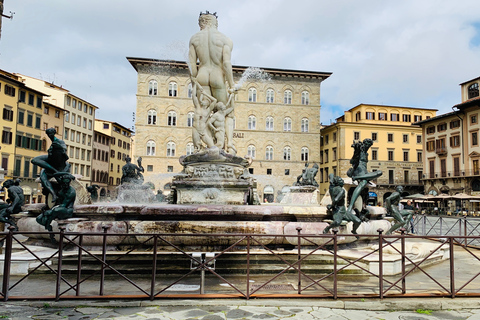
<point x="363" y="274"/>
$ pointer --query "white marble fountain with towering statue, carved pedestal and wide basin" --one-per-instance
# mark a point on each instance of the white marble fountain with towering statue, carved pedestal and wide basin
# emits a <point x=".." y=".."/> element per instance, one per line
<point x="214" y="193"/>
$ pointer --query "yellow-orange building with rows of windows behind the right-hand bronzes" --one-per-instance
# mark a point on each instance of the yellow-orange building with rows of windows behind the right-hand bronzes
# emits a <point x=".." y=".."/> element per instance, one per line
<point x="397" y="147"/>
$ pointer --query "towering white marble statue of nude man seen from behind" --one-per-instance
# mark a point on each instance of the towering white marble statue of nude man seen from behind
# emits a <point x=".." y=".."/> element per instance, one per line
<point x="212" y="49"/>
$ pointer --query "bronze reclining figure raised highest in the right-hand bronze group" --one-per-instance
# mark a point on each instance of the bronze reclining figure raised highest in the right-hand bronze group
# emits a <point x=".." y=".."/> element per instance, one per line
<point x="358" y="172"/>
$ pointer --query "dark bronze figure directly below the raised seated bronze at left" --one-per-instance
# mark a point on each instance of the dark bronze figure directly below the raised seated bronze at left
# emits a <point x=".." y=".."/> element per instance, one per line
<point x="63" y="208"/>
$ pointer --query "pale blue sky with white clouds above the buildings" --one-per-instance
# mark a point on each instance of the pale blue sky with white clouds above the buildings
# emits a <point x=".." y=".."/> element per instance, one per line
<point x="406" y="53"/>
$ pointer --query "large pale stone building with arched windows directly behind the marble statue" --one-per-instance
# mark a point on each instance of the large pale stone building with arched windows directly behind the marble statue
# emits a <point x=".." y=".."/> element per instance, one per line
<point x="277" y="122"/>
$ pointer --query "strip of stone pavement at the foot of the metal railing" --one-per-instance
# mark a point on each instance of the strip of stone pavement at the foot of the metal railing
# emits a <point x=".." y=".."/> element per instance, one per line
<point x="304" y="309"/>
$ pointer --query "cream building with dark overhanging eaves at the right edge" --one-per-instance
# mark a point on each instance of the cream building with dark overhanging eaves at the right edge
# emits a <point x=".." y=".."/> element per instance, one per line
<point x="452" y="150"/>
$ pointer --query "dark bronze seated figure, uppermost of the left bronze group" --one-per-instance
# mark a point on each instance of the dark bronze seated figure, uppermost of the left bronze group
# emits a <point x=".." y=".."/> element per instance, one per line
<point x="53" y="162"/>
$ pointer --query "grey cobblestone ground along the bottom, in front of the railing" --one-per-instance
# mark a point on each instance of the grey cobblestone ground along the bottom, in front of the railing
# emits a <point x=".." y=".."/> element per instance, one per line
<point x="223" y="311"/>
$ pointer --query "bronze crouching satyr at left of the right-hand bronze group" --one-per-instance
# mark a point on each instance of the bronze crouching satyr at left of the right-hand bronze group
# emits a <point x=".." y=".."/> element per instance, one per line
<point x="337" y="208"/>
